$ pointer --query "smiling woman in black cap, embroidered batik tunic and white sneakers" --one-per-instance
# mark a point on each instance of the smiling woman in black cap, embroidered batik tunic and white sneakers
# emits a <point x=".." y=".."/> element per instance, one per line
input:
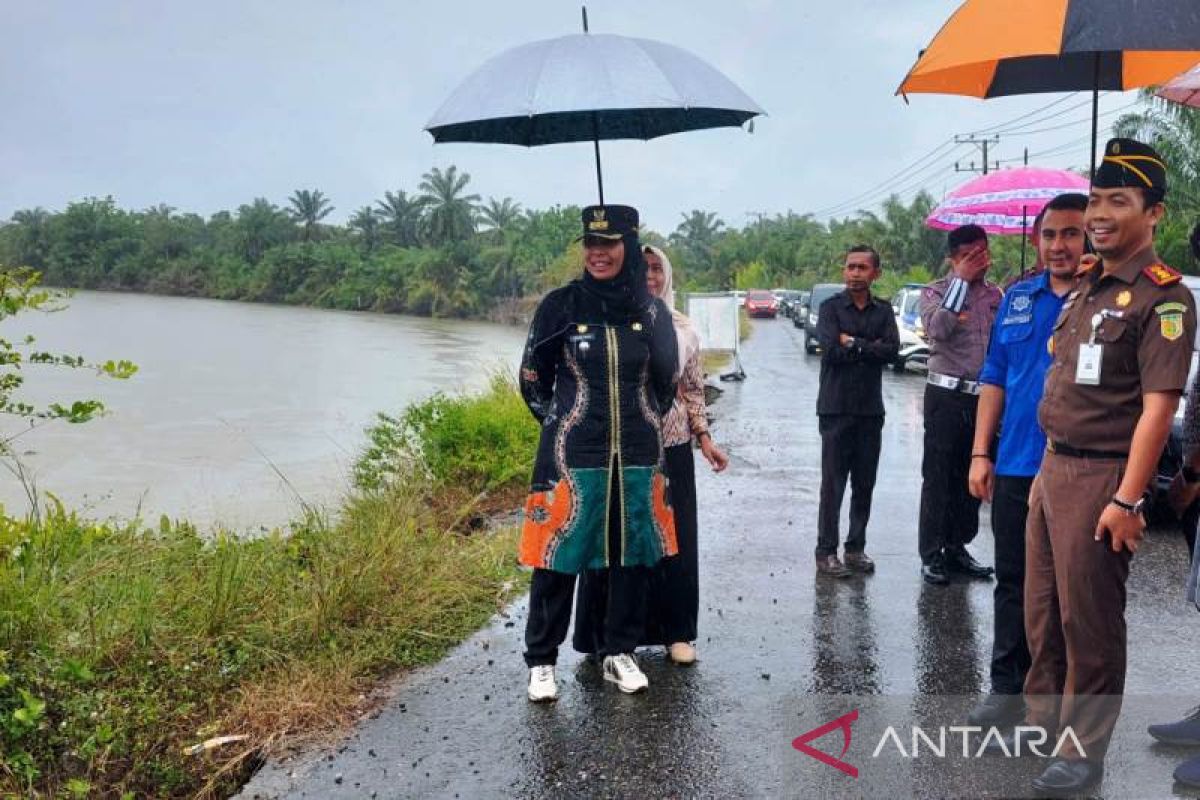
<point x="598" y="374"/>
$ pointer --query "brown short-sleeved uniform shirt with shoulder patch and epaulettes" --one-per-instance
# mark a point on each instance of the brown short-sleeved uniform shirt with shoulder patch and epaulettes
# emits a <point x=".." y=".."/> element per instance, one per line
<point x="1148" y="339"/>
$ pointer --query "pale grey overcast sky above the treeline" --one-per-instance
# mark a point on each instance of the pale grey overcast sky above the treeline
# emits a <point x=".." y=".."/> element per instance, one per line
<point x="205" y="106"/>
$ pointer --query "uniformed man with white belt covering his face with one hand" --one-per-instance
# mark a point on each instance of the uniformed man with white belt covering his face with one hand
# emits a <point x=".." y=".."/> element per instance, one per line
<point x="958" y="312"/>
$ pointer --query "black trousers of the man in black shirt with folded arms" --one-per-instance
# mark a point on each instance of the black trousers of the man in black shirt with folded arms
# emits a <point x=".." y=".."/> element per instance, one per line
<point x="850" y="448"/>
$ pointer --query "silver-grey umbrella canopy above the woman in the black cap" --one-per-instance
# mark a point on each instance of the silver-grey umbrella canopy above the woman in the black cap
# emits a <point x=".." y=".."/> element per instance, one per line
<point x="590" y="87"/>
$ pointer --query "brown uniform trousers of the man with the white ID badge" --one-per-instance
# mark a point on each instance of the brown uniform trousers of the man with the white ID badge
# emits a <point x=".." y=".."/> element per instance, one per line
<point x="1075" y="604"/>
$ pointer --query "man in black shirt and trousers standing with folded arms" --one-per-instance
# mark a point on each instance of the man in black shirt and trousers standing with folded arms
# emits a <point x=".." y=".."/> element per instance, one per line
<point x="859" y="338"/>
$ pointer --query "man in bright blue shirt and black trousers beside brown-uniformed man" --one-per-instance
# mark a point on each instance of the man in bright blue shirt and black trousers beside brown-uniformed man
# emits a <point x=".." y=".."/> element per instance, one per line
<point x="1013" y="376"/>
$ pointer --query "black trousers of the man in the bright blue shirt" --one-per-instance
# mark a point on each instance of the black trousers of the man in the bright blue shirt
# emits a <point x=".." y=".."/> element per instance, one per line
<point x="1010" y="648"/>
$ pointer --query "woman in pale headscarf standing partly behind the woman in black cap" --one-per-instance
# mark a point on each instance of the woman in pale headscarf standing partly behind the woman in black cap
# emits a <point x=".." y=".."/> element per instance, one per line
<point x="674" y="597"/>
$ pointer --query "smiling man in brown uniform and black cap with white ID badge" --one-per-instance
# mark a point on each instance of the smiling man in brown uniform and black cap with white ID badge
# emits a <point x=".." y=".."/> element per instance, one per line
<point x="1123" y="348"/>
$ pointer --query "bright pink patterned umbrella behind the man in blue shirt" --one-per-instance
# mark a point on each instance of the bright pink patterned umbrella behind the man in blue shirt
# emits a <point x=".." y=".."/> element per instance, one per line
<point x="1005" y="202"/>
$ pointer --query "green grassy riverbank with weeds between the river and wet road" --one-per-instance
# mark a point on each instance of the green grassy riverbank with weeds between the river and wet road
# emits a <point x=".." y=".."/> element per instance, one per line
<point x="124" y="645"/>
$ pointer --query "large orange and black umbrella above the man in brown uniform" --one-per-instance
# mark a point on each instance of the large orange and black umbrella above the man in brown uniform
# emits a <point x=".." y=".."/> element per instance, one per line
<point x="994" y="49"/>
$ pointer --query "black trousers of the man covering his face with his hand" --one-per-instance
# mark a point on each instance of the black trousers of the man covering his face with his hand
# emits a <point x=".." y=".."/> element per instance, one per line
<point x="950" y="516"/>
